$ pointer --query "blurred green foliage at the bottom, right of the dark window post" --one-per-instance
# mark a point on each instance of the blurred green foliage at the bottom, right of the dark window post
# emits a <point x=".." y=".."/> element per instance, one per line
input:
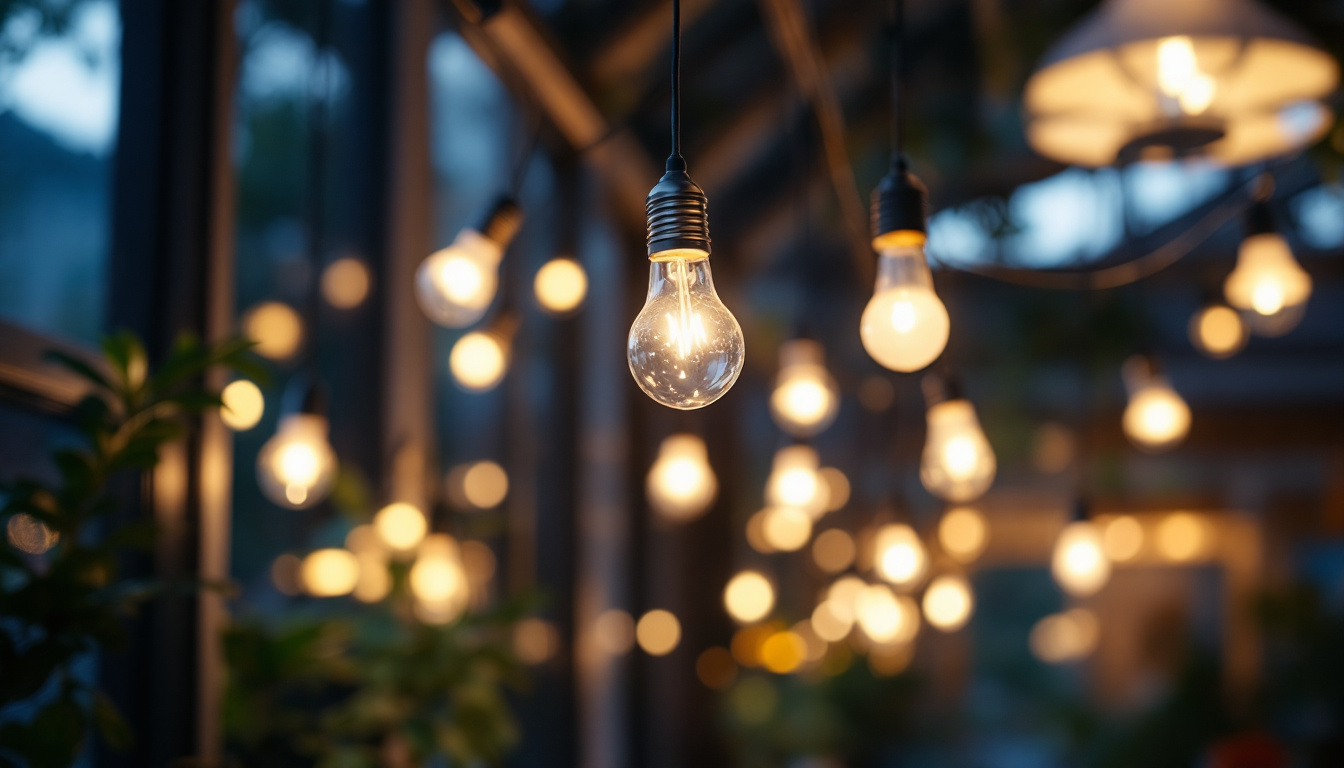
<point x="370" y="692"/>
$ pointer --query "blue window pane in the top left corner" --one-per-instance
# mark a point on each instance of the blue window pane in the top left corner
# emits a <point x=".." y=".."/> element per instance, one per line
<point x="60" y="91"/>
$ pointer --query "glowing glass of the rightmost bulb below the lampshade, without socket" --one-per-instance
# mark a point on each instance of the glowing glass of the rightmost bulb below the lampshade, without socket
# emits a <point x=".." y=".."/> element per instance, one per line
<point x="1268" y="280"/>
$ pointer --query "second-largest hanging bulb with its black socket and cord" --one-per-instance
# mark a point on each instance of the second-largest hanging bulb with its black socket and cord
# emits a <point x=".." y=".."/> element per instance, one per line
<point x="905" y="326"/>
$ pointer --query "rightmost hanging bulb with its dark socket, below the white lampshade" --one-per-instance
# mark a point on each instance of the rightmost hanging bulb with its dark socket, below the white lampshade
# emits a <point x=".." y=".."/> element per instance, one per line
<point x="1268" y="283"/>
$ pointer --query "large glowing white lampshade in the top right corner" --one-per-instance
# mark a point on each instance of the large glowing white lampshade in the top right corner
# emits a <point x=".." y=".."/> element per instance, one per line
<point x="1155" y="80"/>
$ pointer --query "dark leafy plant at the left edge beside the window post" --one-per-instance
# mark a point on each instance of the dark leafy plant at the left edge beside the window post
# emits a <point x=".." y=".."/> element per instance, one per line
<point x="58" y="606"/>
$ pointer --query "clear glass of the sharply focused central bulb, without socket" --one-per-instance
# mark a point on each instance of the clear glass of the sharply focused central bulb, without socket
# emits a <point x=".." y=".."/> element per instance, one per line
<point x="686" y="349"/>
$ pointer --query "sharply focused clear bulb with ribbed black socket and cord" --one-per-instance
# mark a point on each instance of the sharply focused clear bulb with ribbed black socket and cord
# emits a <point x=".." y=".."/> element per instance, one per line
<point x="686" y="349"/>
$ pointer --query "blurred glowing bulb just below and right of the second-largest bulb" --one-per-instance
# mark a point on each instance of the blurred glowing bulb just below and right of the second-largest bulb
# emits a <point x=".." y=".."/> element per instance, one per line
<point x="958" y="463"/>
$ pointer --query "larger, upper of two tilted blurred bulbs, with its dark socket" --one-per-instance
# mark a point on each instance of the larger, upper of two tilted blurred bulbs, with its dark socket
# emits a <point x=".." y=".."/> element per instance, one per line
<point x="456" y="286"/>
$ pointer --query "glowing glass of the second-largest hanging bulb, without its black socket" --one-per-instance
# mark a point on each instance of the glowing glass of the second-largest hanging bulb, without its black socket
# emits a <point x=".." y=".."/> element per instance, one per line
<point x="905" y="325"/>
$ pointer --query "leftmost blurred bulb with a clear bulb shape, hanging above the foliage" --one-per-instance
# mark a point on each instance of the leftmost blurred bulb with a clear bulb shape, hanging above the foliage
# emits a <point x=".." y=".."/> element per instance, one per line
<point x="298" y="467"/>
